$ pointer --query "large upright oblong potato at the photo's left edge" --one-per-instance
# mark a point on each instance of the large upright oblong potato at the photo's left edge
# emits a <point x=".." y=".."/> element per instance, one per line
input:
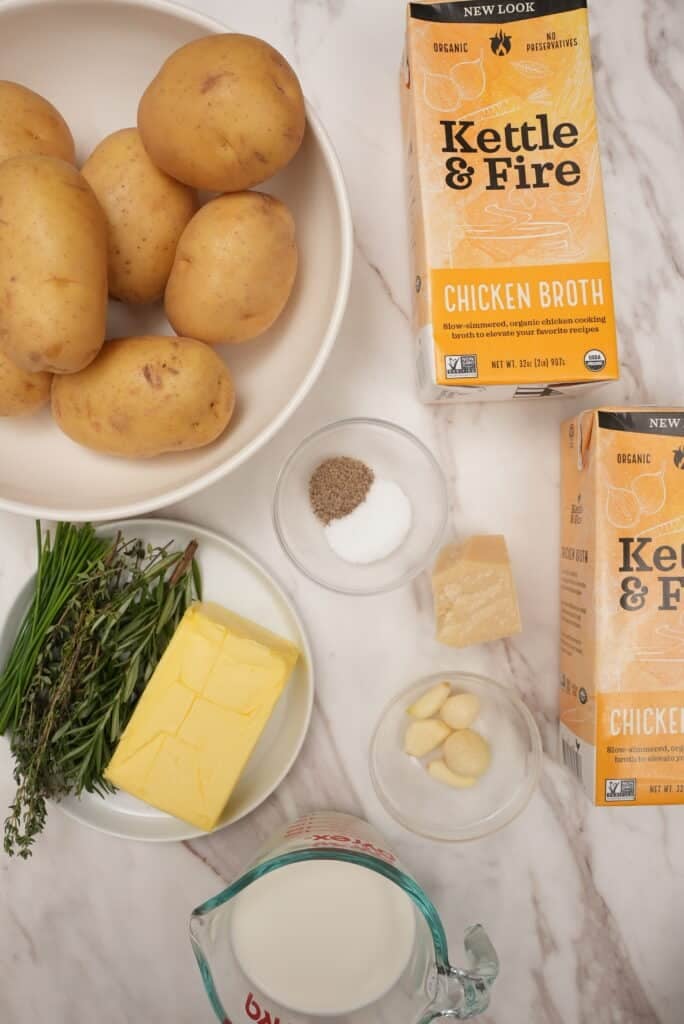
<point x="53" y="267"/>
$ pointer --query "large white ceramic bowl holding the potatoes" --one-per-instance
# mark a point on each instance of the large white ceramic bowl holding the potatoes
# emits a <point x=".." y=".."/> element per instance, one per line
<point x="94" y="59"/>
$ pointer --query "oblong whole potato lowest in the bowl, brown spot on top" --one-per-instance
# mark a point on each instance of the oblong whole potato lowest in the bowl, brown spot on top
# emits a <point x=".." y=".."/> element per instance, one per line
<point x="146" y="396"/>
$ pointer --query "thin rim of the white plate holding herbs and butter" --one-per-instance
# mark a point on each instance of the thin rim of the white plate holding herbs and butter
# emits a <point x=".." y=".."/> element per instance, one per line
<point x="275" y="583"/>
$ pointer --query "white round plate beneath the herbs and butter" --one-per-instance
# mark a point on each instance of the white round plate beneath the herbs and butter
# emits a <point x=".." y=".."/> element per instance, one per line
<point x="232" y="578"/>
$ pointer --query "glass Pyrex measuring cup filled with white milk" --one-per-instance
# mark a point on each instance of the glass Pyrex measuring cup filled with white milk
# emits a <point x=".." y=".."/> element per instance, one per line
<point x="327" y="926"/>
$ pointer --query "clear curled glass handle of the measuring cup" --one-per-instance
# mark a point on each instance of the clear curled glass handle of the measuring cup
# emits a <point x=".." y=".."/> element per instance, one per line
<point x="465" y="994"/>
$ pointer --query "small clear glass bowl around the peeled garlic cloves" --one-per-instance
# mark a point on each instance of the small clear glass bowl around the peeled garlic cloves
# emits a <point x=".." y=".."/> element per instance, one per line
<point x="434" y="809"/>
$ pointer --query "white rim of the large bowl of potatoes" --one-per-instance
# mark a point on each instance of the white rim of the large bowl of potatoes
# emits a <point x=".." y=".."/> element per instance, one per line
<point x="347" y="259"/>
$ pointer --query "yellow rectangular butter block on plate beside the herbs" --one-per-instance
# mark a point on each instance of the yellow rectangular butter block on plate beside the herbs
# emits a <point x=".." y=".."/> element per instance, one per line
<point x="202" y="714"/>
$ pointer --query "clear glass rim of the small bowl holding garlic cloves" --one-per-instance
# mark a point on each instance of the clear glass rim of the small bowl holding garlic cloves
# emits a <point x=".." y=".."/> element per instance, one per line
<point x="537" y="752"/>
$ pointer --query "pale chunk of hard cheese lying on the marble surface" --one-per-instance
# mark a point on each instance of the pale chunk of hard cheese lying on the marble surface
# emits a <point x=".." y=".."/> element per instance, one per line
<point x="475" y="593"/>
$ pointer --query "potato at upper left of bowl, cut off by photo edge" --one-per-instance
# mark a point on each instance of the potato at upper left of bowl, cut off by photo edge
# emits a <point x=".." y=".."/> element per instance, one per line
<point x="30" y="124"/>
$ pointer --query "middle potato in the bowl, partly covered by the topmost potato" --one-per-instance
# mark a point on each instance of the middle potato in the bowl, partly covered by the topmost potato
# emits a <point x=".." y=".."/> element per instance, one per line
<point x="147" y="212"/>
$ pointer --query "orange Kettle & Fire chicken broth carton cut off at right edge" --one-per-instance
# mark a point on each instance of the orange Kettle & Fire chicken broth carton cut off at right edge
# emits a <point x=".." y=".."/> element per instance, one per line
<point x="622" y="699"/>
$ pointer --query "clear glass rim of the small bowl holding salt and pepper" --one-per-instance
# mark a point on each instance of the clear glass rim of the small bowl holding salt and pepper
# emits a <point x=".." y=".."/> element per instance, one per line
<point x="366" y="421"/>
